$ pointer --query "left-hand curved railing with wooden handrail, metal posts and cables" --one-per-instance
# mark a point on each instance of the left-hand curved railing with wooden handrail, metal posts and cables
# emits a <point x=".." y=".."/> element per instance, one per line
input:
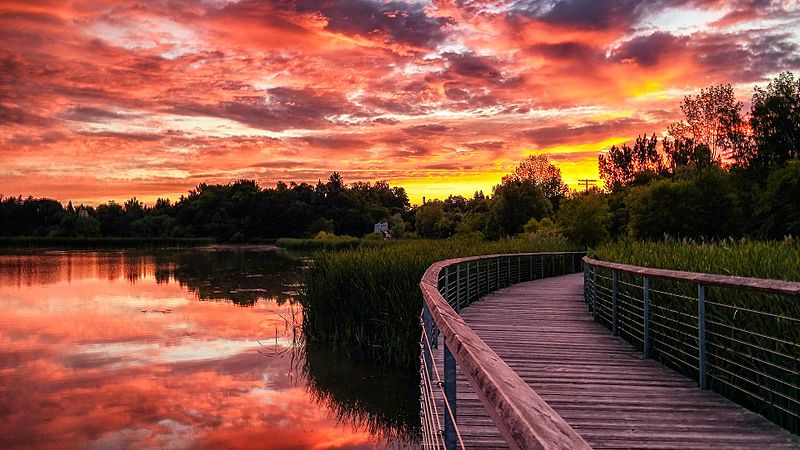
<point x="524" y="420"/>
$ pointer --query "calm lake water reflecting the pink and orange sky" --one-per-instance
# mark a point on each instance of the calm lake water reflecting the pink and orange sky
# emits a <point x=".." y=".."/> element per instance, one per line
<point x="179" y="349"/>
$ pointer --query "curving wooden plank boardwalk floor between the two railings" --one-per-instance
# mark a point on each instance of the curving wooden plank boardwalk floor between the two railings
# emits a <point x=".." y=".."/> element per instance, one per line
<point x="598" y="383"/>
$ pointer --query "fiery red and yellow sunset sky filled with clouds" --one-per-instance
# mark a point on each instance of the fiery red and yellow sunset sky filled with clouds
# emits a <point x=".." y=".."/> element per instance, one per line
<point x="108" y="99"/>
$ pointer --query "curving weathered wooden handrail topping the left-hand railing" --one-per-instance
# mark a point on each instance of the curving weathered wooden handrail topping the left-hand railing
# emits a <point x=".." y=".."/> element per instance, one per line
<point x="523" y="418"/>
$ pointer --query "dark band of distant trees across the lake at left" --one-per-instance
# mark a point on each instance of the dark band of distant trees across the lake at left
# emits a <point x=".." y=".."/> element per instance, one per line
<point x="238" y="211"/>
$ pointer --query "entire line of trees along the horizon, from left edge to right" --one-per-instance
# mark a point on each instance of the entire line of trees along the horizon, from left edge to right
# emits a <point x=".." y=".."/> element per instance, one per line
<point x="717" y="173"/>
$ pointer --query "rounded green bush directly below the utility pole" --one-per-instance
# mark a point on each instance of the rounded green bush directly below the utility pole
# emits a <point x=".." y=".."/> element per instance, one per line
<point x="585" y="218"/>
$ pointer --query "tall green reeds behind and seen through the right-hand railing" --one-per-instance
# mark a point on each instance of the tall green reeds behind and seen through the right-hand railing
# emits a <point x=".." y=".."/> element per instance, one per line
<point x="752" y="338"/>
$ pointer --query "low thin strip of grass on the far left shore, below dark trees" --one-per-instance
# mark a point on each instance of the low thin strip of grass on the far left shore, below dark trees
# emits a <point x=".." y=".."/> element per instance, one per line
<point x="101" y="242"/>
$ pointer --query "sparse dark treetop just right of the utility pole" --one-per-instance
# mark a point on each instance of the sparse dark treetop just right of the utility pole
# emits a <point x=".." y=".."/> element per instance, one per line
<point x="620" y="165"/>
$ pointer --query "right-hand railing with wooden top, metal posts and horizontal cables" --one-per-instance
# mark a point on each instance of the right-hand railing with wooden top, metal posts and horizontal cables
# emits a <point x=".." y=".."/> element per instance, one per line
<point x="737" y="336"/>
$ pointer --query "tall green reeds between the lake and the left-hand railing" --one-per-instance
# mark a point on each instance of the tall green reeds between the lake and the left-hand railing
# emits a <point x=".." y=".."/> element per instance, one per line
<point x="367" y="300"/>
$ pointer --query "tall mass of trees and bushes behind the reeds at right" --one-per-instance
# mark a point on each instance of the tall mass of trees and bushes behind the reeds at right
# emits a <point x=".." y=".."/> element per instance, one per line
<point x="713" y="178"/>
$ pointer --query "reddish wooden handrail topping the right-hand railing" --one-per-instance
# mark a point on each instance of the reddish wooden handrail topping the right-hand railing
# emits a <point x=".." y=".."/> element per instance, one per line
<point x="791" y="288"/>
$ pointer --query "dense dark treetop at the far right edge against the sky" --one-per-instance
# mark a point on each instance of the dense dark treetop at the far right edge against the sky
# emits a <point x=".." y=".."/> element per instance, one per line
<point x="775" y="124"/>
